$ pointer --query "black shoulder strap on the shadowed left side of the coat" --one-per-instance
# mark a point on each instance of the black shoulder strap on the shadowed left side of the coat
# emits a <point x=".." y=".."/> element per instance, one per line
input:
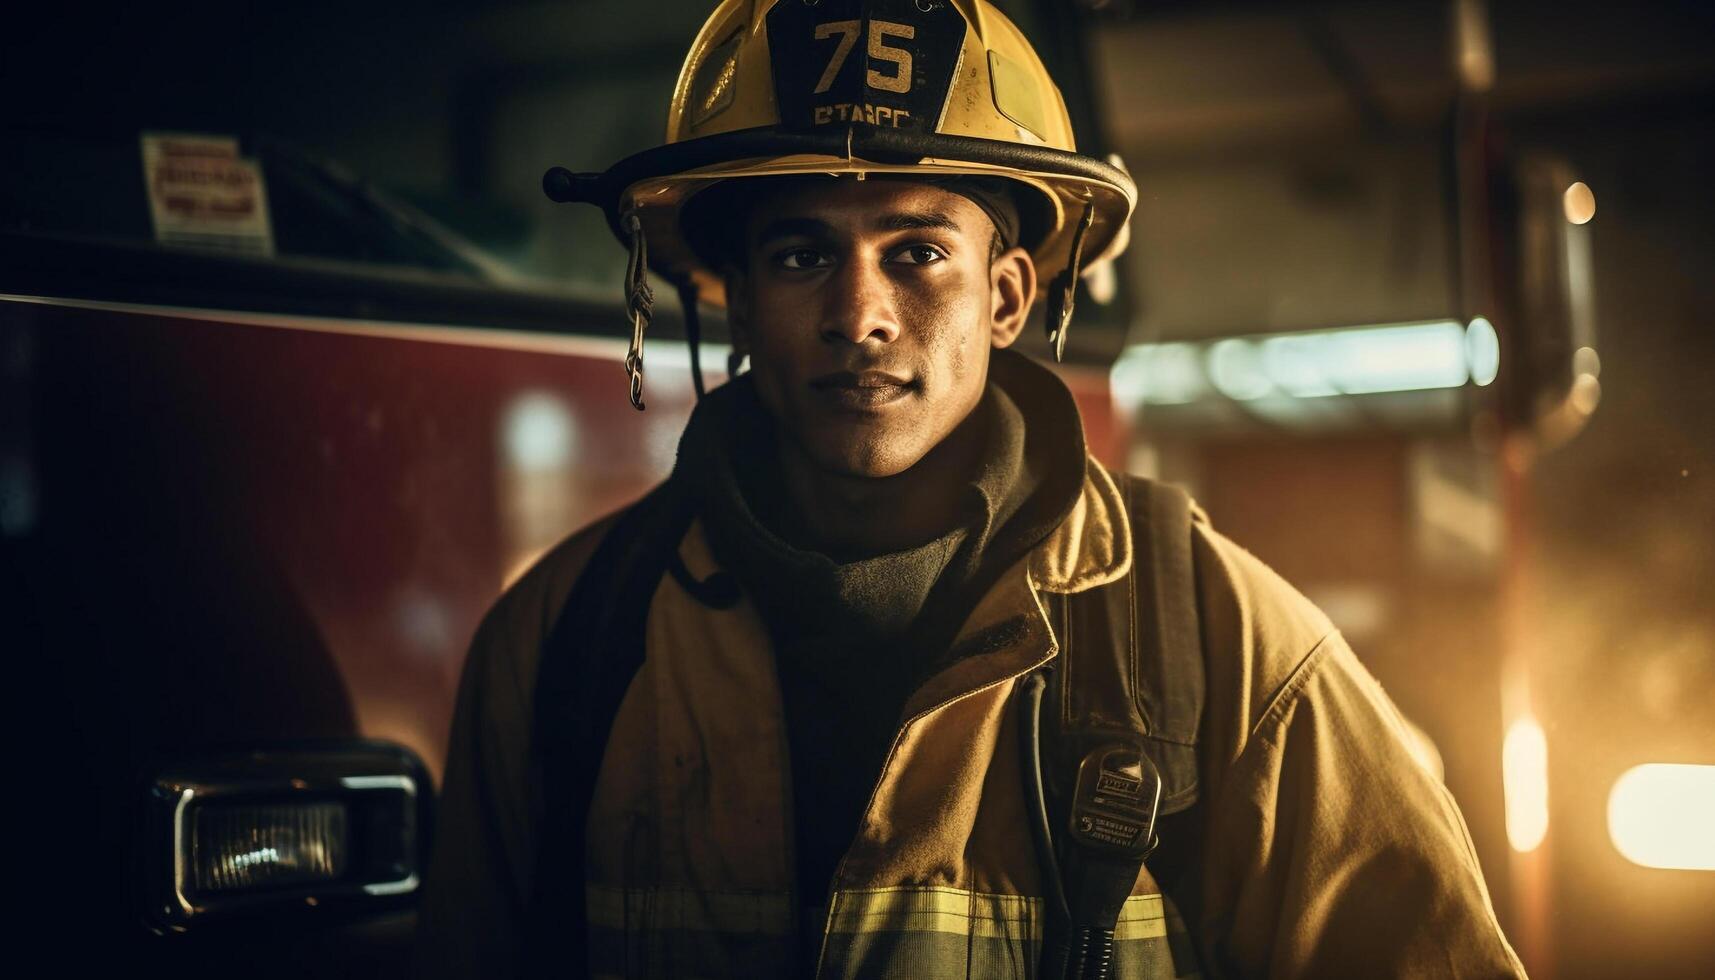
<point x="587" y="663"/>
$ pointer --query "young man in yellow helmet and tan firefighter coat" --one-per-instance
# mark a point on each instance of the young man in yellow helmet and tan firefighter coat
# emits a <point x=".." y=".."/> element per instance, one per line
<point x="779" y="718"/>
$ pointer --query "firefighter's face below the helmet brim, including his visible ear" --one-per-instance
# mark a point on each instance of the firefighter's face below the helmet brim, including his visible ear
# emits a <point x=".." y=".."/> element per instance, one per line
<point x="869" y="310"/>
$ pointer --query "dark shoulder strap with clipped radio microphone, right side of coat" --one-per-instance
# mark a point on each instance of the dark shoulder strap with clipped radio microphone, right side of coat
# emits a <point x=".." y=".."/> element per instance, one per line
<point x="1129" y="689"/>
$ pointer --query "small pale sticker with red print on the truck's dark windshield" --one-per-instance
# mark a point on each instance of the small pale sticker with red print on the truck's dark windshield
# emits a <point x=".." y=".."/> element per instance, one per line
<point x="203" y="195"/>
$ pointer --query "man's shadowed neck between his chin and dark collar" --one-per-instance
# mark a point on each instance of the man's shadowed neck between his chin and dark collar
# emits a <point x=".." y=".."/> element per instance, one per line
<point x="850" y="517"/>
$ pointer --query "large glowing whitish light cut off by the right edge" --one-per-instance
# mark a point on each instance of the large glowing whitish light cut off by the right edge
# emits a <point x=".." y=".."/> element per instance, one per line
<point x="1664" y="816"/>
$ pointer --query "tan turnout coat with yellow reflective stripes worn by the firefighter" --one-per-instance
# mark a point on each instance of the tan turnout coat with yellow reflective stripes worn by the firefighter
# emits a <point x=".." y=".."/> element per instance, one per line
<point x="1327" y="849"/>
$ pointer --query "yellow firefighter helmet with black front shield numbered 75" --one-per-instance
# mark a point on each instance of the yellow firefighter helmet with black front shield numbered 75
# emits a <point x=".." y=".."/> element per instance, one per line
<point x="937" y="88"/>
